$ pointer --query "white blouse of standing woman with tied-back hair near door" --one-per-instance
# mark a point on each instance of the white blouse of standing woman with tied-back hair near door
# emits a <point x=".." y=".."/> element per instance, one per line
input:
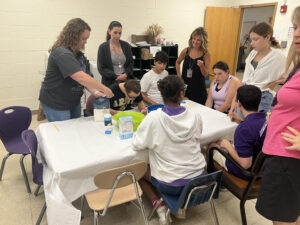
<point x="269" y="69"/>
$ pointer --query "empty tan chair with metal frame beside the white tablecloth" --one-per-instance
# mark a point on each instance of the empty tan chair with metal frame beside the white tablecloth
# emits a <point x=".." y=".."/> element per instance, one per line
<point x="117" y="186"/>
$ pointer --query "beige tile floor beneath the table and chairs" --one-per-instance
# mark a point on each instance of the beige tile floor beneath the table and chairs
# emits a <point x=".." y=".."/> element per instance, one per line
<point x="17" y="207"/>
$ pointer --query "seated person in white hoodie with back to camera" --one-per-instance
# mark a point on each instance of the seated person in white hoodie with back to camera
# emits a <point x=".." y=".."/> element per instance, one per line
<point x="172" y="137"/>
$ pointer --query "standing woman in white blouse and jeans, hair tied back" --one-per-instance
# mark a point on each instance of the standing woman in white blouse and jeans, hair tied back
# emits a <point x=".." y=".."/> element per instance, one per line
<point x="264" y="65"/>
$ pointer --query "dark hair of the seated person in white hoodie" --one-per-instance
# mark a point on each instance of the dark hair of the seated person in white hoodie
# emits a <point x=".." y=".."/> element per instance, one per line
<point x="170" y="88"/>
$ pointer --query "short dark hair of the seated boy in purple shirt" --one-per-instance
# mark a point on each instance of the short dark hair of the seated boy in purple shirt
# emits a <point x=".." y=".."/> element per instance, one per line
<point x="249" y="96"/>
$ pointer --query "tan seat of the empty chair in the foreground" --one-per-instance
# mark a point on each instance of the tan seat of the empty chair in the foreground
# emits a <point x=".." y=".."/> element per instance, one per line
<point x="97" y="199"/>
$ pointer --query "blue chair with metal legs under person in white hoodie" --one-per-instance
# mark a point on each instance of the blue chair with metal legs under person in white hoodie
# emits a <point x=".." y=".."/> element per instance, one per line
<point x="197" y="191"/>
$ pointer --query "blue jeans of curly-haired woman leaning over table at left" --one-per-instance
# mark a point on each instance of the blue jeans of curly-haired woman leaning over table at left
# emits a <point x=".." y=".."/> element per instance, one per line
<point x="59" y="115"/>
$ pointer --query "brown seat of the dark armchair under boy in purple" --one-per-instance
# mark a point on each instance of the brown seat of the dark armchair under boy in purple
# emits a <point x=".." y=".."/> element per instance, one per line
<point x="237" y="185"/>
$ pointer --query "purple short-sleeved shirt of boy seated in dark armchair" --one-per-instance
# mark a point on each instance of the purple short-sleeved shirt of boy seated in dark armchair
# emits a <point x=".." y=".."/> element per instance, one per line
<point x="248" y="139"/>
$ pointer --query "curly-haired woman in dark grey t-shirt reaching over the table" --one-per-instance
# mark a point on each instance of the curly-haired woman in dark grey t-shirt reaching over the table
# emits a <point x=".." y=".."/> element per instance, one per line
<point x="68" y="72"/>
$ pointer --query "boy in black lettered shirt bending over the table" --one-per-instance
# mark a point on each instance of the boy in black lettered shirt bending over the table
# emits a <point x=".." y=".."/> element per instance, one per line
<point x="125" y="96"/>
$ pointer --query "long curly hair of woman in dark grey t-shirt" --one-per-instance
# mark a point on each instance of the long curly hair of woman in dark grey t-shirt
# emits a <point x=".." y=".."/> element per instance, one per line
<point x="70" y="35"/>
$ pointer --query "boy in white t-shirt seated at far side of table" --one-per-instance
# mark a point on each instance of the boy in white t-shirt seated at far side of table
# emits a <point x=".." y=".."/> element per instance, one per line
<point x="149" y="89"/>
